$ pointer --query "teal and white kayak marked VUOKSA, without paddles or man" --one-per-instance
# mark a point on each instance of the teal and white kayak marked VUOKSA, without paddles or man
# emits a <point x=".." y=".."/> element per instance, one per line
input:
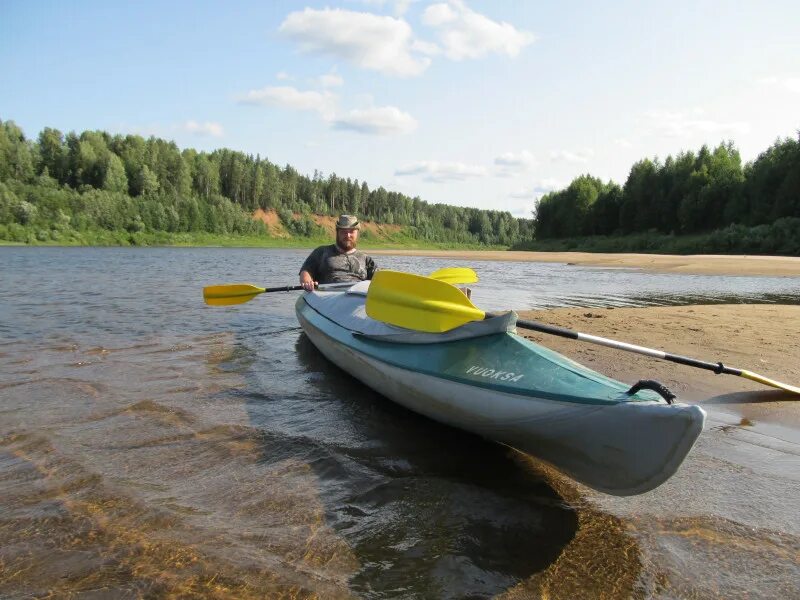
<point x="508" y="389"/>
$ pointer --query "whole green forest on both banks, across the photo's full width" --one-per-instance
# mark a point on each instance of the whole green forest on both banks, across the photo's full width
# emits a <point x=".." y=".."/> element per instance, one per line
<point x="97" y="188"/>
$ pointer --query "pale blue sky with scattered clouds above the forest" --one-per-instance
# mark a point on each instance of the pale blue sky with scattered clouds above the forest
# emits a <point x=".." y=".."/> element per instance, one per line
<point x="486" y="104"/>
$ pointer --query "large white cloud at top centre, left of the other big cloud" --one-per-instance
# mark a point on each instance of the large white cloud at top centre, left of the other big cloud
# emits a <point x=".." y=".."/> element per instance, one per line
<point x="374" y="42"/>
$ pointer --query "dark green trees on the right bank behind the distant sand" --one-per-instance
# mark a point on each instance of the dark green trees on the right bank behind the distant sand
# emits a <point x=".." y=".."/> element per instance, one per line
<point x="692" y="193"/>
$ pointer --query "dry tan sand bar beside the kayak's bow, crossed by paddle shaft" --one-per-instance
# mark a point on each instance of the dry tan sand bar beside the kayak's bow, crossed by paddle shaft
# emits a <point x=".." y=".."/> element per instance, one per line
<point x="761" y="338"/>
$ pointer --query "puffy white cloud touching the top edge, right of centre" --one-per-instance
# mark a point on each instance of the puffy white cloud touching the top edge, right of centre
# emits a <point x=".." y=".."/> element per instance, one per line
<point x="465" y="33"/>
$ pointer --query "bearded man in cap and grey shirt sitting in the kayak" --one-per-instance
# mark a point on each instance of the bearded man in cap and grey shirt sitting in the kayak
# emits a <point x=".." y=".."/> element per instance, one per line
<point x="339" y="262"/>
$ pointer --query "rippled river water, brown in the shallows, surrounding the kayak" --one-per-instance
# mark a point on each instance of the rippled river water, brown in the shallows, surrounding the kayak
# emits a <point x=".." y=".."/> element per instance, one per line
<point x="152" y="446"/>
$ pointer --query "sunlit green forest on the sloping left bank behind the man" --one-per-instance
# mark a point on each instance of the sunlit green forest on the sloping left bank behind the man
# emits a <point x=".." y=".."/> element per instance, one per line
<point x="59" y="182"/>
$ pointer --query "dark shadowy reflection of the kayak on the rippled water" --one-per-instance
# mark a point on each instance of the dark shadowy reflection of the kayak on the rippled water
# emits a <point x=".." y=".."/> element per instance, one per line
<point x="424" y="503"/>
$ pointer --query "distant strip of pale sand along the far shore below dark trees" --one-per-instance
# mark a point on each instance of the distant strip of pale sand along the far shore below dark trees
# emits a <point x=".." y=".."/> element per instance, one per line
<point x="703" y="264"/>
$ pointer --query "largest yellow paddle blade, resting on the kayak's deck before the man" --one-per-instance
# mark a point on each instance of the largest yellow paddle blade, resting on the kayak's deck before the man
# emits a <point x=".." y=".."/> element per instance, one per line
<point x="419" y="303"/>
